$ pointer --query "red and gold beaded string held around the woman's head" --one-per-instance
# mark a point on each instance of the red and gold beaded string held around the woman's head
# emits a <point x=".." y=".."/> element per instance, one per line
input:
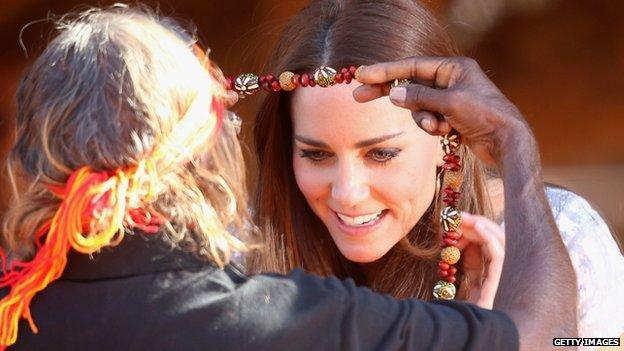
<point x="450" y="216"/>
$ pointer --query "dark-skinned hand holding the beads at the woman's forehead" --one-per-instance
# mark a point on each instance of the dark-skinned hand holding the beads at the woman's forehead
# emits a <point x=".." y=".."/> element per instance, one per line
<point x="448" y="92"/>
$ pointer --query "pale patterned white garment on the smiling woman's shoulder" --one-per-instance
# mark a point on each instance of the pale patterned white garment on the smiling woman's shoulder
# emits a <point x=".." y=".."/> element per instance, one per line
<point x="598" y="263"/>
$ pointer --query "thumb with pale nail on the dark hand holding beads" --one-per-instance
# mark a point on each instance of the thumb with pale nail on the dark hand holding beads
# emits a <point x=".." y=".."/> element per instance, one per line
<point x="420" y="97"/>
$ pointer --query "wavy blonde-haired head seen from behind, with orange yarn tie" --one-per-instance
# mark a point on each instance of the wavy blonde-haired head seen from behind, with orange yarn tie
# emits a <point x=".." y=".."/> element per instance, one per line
<point x="109" y="131"/>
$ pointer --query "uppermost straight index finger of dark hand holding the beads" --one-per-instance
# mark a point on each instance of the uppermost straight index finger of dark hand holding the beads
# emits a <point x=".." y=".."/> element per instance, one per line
<point x="424" y="68"/>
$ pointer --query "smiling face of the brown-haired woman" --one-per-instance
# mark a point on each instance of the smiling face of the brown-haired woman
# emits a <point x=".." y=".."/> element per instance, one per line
<point x="366" y="170"/>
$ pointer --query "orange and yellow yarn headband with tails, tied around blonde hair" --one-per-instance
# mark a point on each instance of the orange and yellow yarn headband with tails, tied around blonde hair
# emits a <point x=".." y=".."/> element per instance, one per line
<point x="95" y="209"/>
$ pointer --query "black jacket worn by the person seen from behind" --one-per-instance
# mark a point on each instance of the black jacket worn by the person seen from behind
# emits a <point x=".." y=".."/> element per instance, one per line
<point x="142" y="296"/>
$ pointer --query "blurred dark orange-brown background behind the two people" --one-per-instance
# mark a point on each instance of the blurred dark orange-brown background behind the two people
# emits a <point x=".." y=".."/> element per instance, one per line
<point x="561" y="62"/>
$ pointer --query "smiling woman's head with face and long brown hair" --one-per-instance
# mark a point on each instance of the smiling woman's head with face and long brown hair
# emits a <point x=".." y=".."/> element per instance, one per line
<point x="350" y="189"/>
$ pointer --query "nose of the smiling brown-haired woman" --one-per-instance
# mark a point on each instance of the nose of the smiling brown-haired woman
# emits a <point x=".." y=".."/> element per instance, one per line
<point x="350" y="186"/>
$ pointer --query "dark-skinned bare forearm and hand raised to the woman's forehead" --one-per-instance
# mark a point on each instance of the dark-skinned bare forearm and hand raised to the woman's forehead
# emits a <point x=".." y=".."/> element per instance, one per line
<point x="538" y="285"/>
